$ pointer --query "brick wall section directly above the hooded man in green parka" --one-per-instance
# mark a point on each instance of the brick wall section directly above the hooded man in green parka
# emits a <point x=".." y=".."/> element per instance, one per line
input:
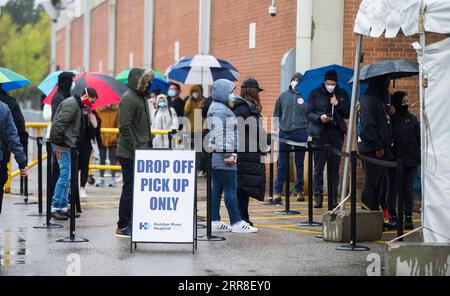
<point x="130" y="33"/>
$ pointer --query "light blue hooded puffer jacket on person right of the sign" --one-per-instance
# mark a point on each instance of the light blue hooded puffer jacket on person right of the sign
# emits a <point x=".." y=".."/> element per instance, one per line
<point x="222" y="124"/>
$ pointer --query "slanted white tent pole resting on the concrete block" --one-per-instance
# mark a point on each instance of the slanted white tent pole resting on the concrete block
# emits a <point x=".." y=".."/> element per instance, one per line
<point x="351" y="135"/>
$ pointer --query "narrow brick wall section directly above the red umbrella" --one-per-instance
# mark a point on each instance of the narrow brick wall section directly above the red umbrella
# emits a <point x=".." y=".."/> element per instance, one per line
<point x="99" y="37"/>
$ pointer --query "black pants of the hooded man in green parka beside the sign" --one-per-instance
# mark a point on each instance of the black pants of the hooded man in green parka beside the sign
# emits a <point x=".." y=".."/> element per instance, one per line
<point x="126" y="199"/>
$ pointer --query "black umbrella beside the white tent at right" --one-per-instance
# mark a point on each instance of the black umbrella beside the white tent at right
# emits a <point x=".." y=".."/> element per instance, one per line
<point x="396" y="69"/>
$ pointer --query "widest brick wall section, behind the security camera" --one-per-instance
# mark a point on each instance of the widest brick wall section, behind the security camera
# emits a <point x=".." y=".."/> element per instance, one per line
<point x="274" y="37"/>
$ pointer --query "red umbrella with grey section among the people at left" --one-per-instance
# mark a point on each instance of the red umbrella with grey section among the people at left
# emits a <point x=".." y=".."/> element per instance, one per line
<point x="109" y="90"/>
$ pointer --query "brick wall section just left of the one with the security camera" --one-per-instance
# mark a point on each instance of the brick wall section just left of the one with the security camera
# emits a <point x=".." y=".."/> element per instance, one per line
<point x="174" y="21"/>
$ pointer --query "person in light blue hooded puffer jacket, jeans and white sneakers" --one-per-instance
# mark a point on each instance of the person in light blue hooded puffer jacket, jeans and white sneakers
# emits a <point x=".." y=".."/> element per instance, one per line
<point x="222" y="125"/>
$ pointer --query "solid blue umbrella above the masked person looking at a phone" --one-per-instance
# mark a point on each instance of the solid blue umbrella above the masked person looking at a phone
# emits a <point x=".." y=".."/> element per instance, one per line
<point x="314" y="78"/>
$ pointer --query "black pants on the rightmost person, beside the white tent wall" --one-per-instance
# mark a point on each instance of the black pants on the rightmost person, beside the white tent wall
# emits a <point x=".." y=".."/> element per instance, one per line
<point x="409" y="174"/>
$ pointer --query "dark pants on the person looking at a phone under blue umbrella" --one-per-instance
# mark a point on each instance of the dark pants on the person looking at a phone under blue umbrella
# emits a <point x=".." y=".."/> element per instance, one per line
<point x="320" y="159"/>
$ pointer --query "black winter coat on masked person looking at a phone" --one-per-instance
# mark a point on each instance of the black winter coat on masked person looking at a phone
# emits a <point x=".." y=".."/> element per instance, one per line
<point x="319" y="104"/>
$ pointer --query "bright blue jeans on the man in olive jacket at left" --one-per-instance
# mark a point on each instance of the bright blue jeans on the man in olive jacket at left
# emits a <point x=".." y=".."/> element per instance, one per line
<point x="61" y="195"/>
